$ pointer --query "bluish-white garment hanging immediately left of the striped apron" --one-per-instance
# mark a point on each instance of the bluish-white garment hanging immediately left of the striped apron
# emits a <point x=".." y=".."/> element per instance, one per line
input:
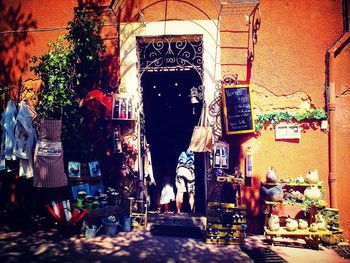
<point x="25" y="138"/>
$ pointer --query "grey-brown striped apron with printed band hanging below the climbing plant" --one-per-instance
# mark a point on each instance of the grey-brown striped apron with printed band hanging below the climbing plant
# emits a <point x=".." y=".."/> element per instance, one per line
<point x="48" y="156"/>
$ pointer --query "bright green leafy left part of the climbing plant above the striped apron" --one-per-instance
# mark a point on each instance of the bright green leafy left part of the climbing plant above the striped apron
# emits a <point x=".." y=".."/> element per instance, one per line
<point x="55" y="70"/>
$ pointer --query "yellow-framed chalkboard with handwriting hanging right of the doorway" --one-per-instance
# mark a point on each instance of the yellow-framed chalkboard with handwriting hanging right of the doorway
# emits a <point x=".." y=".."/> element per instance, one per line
<point x="238" y="111"/>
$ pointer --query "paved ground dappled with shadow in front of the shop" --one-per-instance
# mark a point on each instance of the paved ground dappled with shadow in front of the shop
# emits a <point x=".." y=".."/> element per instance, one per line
<point x="141" y="246"/>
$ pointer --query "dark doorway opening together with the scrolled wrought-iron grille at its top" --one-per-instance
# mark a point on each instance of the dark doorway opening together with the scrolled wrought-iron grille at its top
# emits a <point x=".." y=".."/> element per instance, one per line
<point x="170" y="67"/>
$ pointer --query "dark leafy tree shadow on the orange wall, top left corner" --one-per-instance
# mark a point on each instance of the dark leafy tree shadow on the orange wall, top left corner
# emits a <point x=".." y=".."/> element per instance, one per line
<point x="13" y="18"/>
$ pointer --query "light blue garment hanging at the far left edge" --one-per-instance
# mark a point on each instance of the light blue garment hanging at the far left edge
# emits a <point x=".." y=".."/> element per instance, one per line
<point x="8" y="122"/>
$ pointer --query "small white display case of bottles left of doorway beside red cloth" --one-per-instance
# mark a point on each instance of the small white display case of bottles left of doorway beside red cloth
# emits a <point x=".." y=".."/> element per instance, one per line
<point x="122" y="107"/>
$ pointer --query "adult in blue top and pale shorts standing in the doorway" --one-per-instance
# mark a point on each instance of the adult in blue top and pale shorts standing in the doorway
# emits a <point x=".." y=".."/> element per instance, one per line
<point x="185" y="179"/>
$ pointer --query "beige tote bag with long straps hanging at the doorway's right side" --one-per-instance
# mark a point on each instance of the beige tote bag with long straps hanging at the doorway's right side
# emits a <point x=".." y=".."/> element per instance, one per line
<point x="202" y="136"/>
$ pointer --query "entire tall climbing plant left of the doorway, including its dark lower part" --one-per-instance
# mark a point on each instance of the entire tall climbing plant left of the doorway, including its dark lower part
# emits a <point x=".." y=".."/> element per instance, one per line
<point x="69" y="70"/>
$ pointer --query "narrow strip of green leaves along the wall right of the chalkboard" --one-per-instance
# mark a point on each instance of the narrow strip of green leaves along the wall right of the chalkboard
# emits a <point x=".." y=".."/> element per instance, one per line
<point x="277" y="116"/>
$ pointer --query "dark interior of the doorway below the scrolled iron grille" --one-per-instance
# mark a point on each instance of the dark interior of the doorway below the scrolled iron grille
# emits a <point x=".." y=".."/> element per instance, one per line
<point x="170" y="118"/>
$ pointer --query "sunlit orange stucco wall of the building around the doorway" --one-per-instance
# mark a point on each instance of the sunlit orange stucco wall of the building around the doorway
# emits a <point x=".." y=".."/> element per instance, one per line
<point x="288" y="70"/>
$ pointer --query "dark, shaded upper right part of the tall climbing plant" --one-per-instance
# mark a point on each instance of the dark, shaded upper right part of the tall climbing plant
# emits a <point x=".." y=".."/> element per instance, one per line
<point x="88" y="50"/>
